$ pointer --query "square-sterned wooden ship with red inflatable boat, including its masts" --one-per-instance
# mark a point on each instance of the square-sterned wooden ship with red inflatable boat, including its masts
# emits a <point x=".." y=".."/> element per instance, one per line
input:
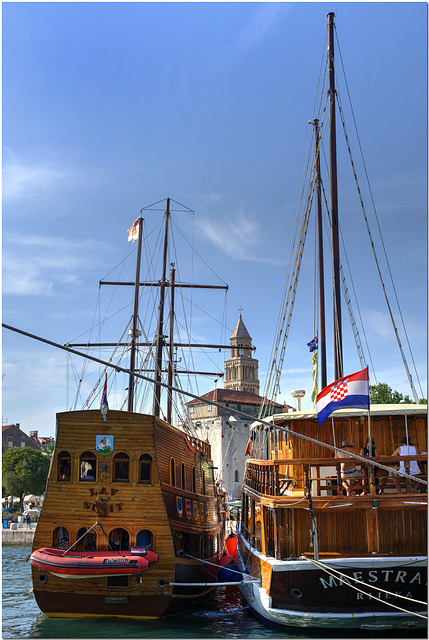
<point x="131" y="500"/>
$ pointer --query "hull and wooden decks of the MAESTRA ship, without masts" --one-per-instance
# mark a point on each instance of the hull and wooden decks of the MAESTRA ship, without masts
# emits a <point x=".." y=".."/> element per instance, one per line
<point x="324" y="558"/>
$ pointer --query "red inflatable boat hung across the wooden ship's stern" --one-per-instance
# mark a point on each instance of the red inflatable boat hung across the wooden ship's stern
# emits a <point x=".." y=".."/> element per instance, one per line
<point x="92" y="564"/>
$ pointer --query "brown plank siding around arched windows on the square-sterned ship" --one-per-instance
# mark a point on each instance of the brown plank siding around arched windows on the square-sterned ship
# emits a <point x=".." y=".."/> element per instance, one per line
<point x="130" y="505"/>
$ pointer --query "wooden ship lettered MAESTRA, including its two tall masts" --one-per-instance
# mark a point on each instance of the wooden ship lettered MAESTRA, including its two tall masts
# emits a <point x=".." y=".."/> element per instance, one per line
<point x="321" y="551"/>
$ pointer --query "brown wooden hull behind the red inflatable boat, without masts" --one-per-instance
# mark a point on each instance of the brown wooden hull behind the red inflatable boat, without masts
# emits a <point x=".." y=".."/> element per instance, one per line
<point x="171" y="506"/>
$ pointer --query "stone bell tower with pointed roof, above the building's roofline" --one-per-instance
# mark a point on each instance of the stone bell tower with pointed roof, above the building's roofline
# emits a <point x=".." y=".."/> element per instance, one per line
<point x="241" y="370"/>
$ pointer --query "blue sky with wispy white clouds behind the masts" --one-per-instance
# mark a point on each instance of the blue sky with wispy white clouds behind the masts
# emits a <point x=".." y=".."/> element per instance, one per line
<point x="110" y="107"/>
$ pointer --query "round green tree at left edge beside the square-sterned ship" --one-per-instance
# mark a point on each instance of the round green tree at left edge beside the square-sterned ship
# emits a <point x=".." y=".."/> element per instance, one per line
<point x="25" y="470"/>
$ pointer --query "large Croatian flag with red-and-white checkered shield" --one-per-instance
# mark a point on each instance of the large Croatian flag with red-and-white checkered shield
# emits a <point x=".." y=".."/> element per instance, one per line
<point x="350" y="391"/>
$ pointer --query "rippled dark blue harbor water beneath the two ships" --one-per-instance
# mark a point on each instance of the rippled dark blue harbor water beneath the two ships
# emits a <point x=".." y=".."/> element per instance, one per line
<point x="223" y="614"/>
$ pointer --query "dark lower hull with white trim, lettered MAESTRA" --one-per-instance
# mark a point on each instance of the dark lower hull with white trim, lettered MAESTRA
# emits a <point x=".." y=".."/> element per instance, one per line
<point x="386" y="576"/>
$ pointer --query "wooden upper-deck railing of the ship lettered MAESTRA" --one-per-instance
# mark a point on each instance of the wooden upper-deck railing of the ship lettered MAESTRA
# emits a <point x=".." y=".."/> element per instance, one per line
<point x="274" y="477"/>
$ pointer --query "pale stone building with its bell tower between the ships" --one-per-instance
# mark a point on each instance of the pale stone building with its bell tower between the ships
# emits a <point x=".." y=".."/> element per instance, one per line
<point x="228" y="433"/>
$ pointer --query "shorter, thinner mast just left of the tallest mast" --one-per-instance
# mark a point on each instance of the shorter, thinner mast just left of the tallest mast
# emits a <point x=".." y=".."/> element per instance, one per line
<point x="322" y="338"/>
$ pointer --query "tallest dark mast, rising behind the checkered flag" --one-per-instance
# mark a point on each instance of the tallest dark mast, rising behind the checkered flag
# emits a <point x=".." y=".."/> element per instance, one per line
<point x="338" y="345"/>
